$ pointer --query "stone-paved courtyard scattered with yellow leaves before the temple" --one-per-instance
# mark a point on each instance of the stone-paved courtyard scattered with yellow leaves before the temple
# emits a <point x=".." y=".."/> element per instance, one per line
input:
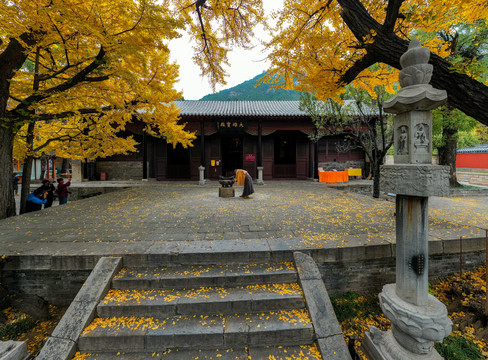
<point x="301" y="214"/>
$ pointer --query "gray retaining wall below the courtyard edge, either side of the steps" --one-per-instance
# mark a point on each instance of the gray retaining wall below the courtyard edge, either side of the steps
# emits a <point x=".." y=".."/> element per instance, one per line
<point x="363" y="269"/>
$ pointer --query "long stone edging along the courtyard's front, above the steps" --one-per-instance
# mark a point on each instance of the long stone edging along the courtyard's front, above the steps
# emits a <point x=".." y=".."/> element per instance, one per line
<point x="227" y="252"/>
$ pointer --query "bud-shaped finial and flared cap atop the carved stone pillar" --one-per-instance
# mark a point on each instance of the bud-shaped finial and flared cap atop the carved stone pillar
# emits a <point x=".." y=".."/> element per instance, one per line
<point x="416" y="93"/>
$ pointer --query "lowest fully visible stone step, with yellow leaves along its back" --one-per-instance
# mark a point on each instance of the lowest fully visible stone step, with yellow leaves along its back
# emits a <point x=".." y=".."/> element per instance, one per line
<point x="141" y="334"/>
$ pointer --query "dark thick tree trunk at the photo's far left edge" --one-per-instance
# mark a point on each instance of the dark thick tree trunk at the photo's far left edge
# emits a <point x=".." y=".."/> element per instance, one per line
<point x="7" y="200"/>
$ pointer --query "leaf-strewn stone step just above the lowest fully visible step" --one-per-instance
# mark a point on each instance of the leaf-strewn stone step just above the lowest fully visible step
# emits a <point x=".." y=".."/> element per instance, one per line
<point x="204" y="300"/>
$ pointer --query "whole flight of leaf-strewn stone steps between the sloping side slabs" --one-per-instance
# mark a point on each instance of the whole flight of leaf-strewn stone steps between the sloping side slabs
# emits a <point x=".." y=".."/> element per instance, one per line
<point x="235" y="311"/>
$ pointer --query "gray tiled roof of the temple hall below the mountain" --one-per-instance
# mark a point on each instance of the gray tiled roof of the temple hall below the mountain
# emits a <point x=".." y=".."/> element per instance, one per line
<point x="240" y="108"/>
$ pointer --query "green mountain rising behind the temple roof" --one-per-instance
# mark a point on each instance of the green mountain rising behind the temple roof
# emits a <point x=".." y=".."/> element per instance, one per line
<point x="249" y="91"/>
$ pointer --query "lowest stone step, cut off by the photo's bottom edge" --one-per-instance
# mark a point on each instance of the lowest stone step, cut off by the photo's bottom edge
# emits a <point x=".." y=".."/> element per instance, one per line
<point x="309" y="352"/>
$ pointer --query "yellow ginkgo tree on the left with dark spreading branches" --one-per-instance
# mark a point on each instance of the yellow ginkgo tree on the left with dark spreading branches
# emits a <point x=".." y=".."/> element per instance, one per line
<point x="102" y="64"/>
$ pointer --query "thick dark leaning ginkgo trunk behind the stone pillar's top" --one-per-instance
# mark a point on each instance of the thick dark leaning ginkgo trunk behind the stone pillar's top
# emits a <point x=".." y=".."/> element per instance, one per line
<point x="464" y="93"/>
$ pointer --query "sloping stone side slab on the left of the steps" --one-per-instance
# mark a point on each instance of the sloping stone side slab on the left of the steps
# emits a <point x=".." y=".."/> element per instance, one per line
<point x="61" y="345"/>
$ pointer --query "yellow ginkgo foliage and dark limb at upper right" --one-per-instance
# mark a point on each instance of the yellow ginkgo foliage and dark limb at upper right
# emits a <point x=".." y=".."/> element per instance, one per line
<point x="321" y="45"/>
